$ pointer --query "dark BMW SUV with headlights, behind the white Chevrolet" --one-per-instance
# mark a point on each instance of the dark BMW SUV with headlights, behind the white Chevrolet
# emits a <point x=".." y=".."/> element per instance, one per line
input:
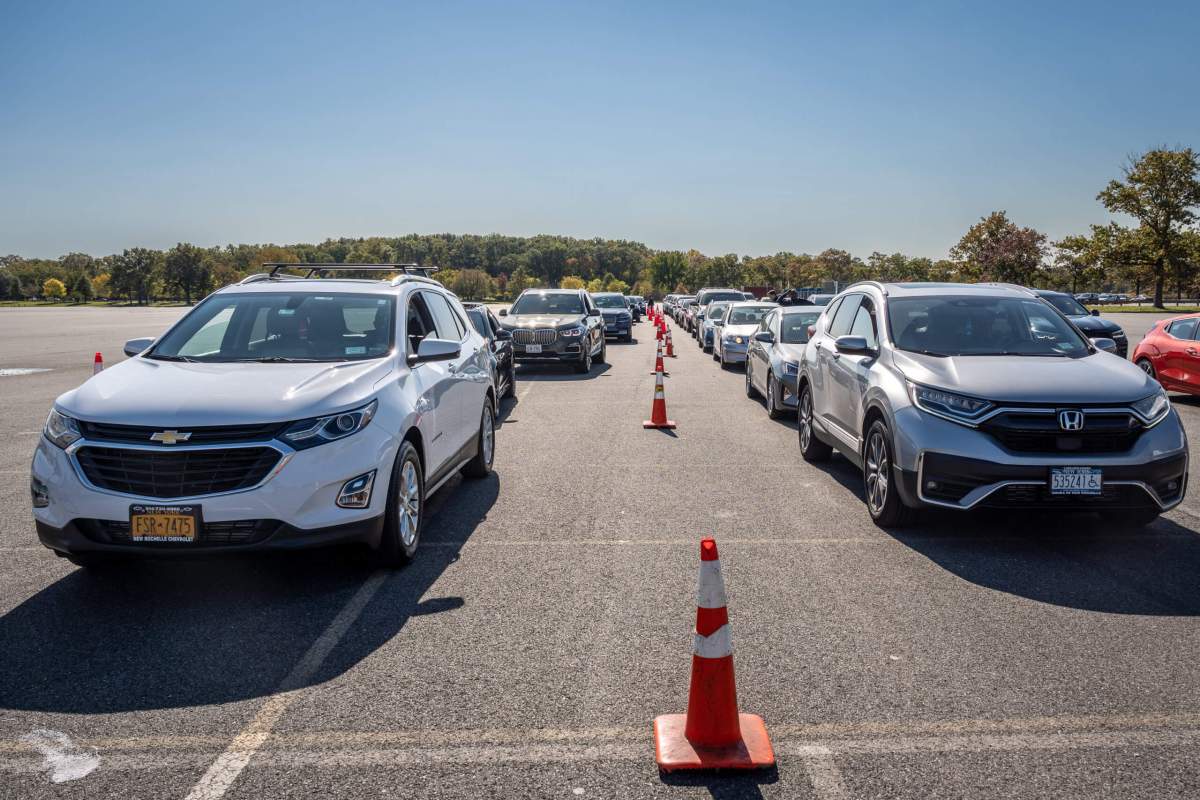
<point x="556" y="327"/>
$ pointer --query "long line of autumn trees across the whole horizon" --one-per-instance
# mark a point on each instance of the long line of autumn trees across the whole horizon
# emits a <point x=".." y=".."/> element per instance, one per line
<point x="1160" y="191"/>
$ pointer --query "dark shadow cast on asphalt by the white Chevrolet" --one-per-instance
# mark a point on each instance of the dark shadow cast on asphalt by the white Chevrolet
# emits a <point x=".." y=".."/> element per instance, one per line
<point x="179" y="634"/>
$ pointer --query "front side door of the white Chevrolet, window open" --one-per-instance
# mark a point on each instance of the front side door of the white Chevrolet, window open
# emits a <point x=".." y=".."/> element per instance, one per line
<point x="434" y="386"/>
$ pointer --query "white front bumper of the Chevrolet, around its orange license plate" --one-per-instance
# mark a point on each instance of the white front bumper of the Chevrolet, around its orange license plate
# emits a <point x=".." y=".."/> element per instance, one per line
<point x="296" y="506"/>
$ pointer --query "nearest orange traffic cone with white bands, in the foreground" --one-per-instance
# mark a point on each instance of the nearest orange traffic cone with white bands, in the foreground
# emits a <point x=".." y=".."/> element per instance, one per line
<point x="712" y="735"/>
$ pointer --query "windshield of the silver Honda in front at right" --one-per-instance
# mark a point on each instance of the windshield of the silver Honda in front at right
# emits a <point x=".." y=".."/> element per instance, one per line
<point x="982" y="327"/>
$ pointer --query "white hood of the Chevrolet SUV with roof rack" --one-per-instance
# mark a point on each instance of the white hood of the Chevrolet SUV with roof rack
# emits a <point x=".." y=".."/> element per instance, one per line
<point x="171" y="394"/>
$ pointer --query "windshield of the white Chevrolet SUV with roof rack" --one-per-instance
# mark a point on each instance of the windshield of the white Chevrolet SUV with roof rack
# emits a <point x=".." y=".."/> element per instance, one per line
<point x="283" y="327"/>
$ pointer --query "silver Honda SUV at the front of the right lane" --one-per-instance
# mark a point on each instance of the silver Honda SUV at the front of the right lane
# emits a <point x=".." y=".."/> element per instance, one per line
<point x="974" y="396"/>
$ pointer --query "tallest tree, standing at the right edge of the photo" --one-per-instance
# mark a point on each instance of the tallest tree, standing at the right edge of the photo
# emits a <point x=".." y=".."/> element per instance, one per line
<point x="1161" y="191"/>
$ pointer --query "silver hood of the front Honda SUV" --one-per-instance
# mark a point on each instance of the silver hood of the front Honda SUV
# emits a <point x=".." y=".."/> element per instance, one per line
<point x="1096" y="378"/>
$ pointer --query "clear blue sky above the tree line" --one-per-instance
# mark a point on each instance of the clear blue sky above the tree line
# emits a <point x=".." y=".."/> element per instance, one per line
<point x="730" y="128"/>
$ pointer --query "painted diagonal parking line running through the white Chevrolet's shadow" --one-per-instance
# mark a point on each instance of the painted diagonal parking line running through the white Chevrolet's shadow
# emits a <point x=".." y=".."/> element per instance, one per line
<point x="224" y="772"/>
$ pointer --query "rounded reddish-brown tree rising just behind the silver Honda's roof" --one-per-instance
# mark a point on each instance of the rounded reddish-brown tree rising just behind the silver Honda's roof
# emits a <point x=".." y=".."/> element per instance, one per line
<point x="995" y="249"/>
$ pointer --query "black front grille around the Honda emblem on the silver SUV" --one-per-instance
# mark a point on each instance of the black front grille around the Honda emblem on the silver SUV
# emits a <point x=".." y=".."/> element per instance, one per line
<point x="1024" y="432"/>
